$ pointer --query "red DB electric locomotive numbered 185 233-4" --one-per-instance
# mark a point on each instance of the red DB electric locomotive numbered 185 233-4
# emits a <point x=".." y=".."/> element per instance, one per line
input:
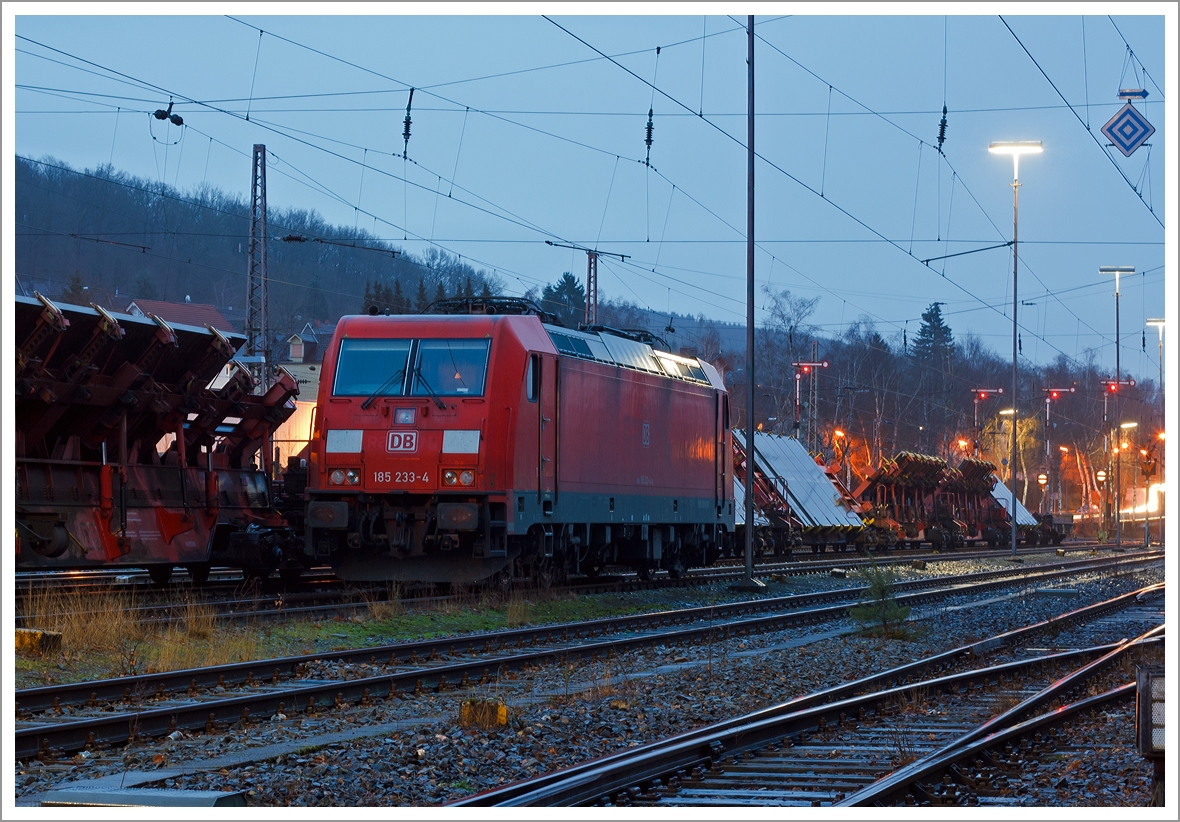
<point x="481" y="440"/>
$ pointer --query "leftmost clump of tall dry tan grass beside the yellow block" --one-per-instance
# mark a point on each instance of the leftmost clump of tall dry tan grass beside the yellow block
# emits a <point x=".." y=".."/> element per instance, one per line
<point x="87" y="622"/>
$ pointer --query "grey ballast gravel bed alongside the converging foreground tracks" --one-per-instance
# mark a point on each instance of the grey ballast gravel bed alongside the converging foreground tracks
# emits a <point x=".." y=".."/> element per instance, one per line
<point x="412" y="752"/>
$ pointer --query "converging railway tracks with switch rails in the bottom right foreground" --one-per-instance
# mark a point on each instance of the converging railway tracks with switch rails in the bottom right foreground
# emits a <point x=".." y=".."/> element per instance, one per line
<point x="939" y="732"/>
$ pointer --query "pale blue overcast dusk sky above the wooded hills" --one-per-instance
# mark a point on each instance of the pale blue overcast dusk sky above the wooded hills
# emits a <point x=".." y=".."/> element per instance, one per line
<point x="527" y="129"/>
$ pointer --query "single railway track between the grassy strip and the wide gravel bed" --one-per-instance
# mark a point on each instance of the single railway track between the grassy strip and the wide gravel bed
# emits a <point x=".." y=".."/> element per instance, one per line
<point x="61" y="719"/>
